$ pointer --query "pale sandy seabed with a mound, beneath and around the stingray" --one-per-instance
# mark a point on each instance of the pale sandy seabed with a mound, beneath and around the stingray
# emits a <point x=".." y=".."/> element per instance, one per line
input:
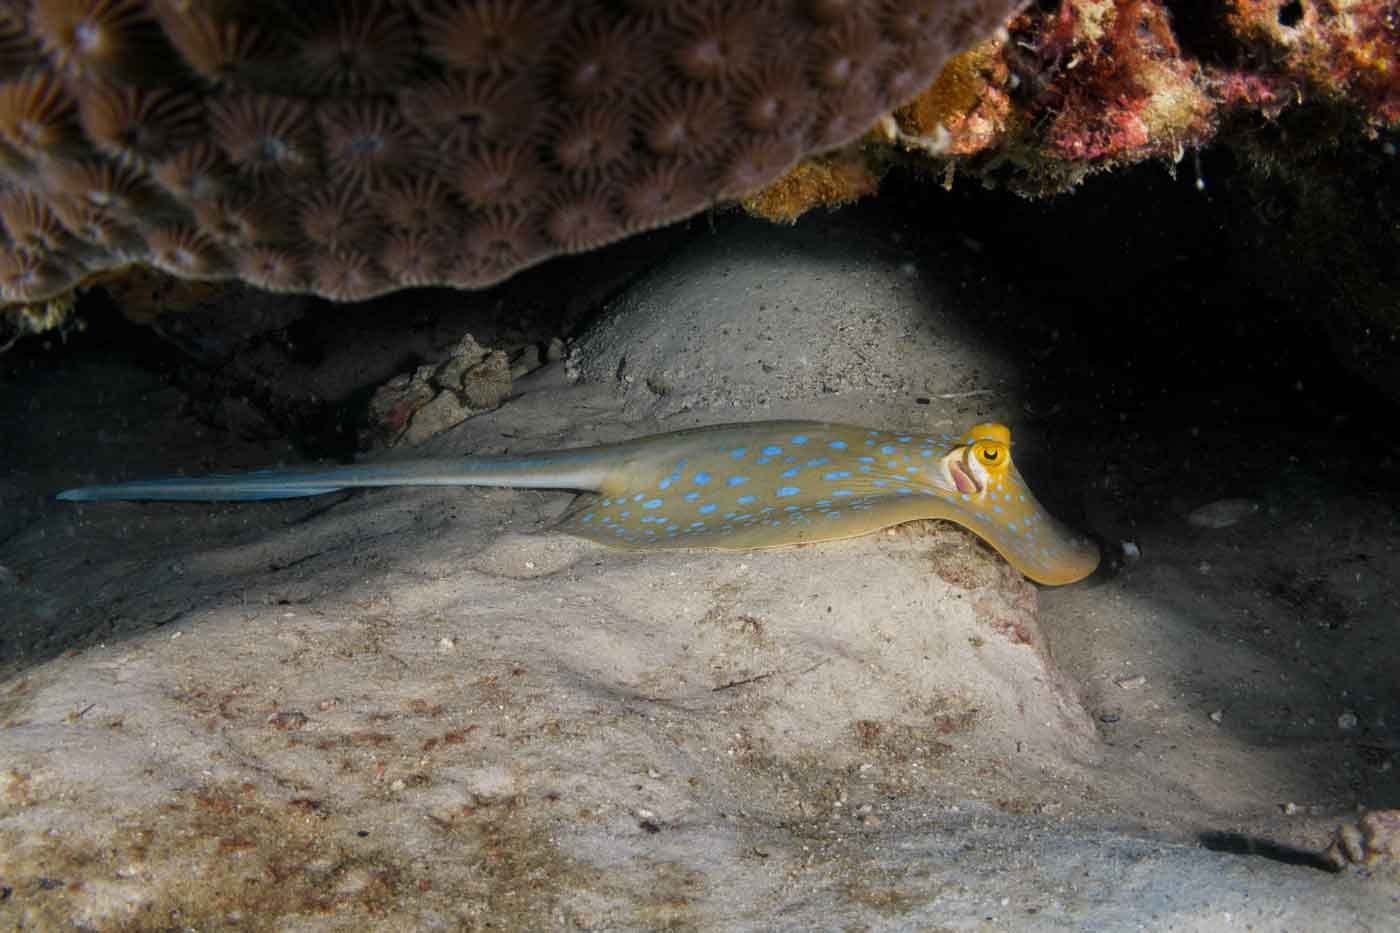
<point x="422" y="708"/>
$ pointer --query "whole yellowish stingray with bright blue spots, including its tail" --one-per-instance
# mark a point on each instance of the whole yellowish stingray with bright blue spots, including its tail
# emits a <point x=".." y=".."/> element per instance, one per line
<point x="741" y="487"/>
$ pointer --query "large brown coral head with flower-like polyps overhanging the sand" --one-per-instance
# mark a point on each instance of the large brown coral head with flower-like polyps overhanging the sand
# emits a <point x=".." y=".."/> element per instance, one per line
<point x="349" y="148"/>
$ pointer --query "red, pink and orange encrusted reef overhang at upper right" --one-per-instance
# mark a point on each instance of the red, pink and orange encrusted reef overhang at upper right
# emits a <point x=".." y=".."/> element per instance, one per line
<point x="1087" y="86"/>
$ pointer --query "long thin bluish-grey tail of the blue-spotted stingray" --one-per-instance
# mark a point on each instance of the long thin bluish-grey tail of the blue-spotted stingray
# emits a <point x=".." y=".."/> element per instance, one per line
<point x="551" y="470"/>
